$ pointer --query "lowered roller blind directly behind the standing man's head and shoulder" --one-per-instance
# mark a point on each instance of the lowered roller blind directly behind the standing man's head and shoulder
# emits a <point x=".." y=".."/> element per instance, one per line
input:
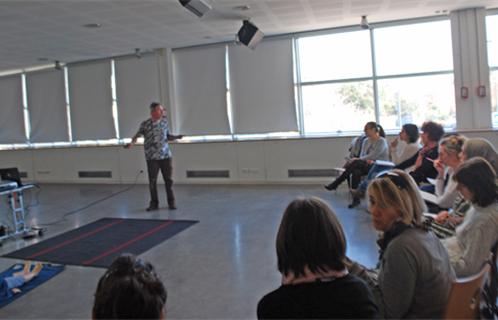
<point x="137" y="85"/>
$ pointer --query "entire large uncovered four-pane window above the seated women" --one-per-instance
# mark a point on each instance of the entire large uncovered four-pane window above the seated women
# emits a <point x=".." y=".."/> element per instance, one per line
<point x="412" y="78"/>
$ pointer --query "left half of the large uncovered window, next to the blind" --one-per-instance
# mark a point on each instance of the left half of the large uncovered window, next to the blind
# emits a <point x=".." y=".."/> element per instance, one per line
<point x="336" y="90"/>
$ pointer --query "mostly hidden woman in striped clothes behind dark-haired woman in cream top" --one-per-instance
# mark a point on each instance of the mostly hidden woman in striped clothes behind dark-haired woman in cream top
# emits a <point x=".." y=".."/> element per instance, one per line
<point x="445" y="222"/>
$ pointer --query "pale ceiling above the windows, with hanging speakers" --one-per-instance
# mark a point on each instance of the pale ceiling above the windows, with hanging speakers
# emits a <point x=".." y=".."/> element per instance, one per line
<point x="34" y="30"/>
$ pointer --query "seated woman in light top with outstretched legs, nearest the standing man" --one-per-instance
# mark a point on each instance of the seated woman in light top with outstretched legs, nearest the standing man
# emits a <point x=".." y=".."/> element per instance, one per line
<point x="374" y="148"/>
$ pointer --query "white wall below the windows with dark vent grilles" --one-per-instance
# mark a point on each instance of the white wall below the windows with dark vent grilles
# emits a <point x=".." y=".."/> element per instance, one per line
<point x="247" y="161"/>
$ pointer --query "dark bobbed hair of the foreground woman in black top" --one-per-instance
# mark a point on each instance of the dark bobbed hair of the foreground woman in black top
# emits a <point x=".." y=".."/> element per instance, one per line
<point x="310" y="236"/>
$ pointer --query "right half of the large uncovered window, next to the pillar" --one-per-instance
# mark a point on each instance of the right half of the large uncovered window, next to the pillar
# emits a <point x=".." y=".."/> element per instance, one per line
<point x="415" y="74"/>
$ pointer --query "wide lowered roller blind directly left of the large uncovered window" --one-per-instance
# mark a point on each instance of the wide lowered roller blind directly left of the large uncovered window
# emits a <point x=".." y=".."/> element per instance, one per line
<point x="261" y="87"/>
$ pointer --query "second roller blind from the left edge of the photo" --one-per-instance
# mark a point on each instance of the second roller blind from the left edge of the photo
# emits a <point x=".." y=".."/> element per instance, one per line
<point x="47" y="106"/>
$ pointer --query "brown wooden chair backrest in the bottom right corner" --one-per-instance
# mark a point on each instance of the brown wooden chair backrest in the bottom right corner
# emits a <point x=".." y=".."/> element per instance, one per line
<point x="465" y="296"/>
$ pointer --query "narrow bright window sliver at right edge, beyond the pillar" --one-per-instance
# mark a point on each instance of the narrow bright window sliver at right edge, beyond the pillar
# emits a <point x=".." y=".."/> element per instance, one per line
<point x="492" y="43"/>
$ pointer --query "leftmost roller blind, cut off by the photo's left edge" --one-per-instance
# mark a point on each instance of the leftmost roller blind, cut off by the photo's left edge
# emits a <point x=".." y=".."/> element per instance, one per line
<point x="11" y="110"/>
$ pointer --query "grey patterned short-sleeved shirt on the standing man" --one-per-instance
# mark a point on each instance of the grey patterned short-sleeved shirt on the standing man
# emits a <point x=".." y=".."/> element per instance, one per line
<point x="155" y="135"/>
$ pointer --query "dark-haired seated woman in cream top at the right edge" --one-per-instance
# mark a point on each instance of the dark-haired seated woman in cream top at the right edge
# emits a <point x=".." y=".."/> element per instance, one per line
<point x="470" y="247"/>
